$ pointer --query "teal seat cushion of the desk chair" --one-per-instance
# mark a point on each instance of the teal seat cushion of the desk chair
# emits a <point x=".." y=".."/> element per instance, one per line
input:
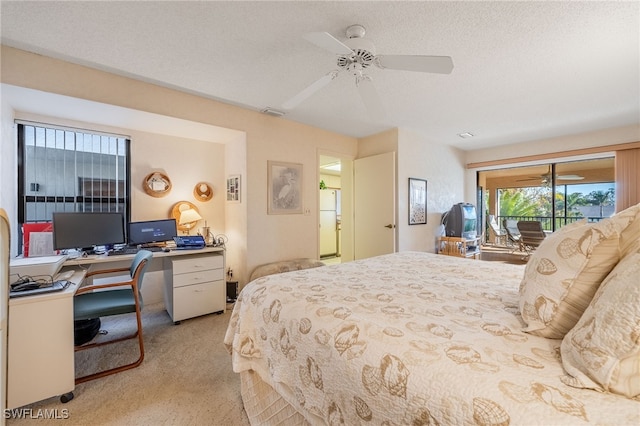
<point x="103" y="303"/>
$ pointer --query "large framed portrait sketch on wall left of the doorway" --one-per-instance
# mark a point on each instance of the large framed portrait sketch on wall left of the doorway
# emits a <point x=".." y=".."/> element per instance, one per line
<point x="284" y="187"/>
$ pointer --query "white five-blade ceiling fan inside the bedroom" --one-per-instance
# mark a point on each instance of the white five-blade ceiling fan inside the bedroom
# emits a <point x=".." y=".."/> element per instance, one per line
<point x="357" y="54"/>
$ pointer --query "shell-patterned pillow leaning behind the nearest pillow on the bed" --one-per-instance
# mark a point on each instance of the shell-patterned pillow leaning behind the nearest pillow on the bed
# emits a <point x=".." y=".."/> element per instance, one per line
<point x="563" y="274"/>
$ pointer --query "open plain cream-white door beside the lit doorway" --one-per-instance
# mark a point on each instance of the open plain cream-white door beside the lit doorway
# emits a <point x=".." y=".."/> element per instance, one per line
<point x="375" y="205"/>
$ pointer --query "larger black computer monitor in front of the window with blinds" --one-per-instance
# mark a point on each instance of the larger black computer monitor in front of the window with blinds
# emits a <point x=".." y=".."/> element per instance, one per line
<point x="84" y="230"/>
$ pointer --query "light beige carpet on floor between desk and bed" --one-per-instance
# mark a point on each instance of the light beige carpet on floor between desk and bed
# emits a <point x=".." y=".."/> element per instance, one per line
<point x="185" y="379"/>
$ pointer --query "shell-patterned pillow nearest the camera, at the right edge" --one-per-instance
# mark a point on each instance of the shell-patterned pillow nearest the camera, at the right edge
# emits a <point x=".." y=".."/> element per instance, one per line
<point x="603" y="350"/>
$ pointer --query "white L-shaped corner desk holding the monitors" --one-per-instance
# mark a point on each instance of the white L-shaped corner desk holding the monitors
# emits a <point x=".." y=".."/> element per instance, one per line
<point x="41" y="361"/>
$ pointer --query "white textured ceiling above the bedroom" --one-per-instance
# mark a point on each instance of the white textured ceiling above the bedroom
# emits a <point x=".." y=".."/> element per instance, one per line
<point x="522" y="70"/>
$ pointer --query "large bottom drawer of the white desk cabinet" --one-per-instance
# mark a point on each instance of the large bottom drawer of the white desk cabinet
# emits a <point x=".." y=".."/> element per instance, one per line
<point x="195" y="300"/>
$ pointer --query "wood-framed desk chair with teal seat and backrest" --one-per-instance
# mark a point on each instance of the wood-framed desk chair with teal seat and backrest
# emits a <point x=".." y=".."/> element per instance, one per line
<point x="88" y="304"/>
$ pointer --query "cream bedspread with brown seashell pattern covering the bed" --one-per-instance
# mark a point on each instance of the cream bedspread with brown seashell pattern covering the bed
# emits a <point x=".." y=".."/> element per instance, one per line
<point x="409" y="338"/>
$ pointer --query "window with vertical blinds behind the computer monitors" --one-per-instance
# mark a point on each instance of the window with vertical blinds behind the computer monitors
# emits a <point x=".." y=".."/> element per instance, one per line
<point x="70" y="170"/>
